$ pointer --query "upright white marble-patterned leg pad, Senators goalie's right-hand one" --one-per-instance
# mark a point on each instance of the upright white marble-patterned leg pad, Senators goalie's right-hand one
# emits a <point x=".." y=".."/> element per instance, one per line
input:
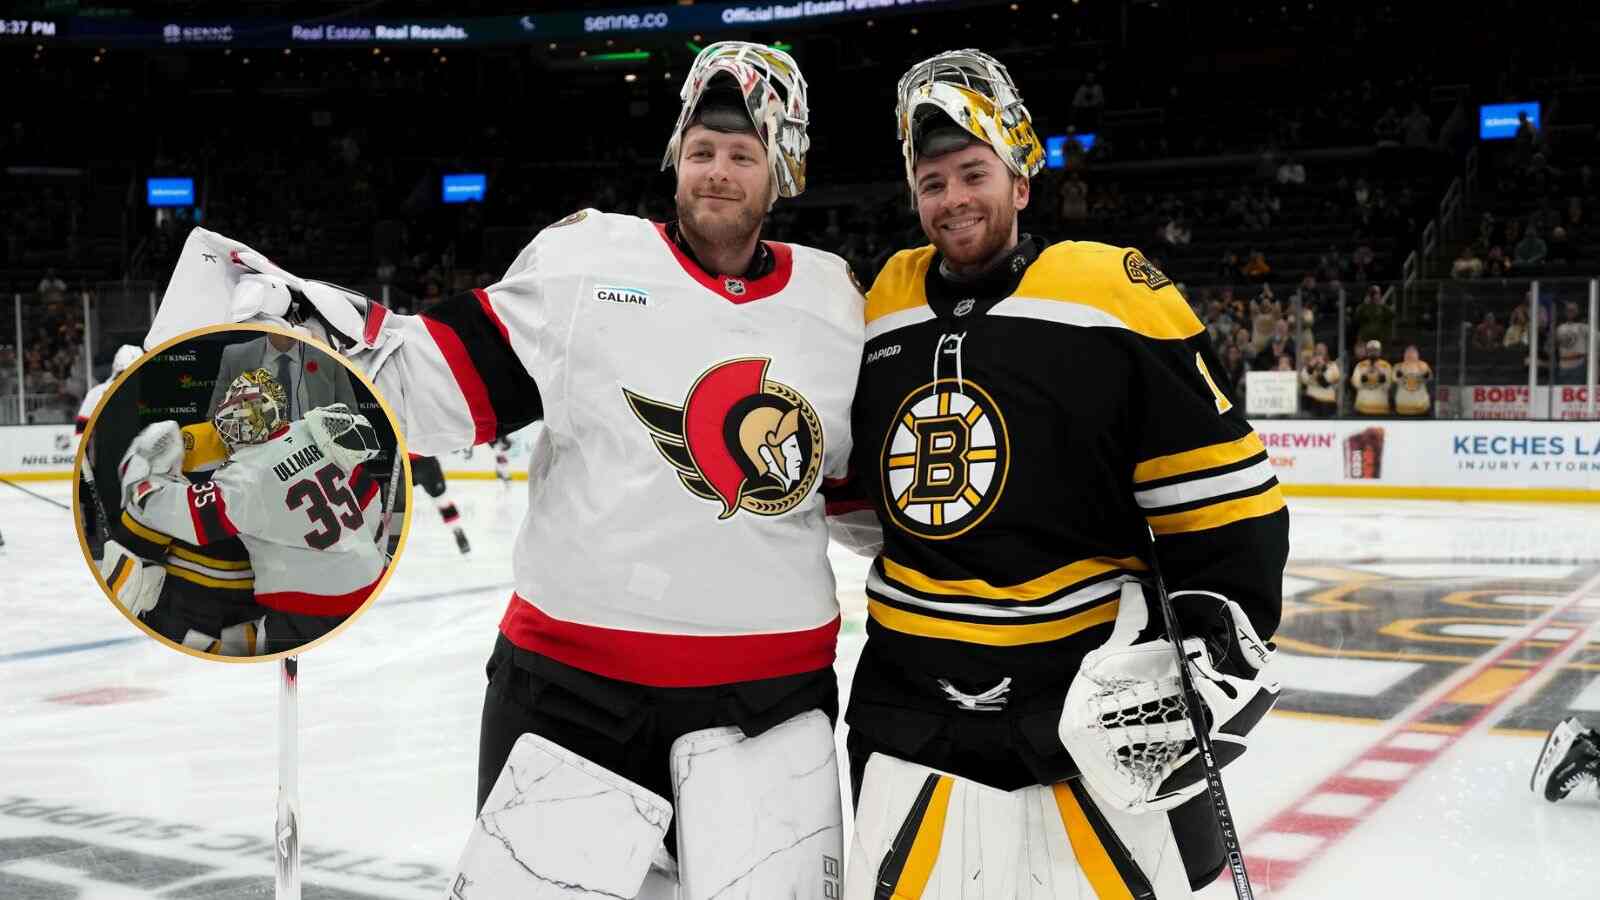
<point x="759" y="818"/>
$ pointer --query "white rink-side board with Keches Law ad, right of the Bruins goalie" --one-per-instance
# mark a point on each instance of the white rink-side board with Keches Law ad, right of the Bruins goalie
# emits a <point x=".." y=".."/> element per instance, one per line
<point x="1550" y="456"/>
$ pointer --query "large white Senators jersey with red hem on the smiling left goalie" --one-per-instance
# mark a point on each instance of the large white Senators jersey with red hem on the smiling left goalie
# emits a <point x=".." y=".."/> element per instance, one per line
<point x="676" y="528"/>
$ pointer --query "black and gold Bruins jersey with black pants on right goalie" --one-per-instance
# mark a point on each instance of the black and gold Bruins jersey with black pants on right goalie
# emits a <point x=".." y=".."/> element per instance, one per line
<point x="1017" y="435"/>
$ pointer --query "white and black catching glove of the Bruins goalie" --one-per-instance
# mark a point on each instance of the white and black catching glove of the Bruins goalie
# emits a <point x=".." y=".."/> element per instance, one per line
<point x="1126" y="721"/>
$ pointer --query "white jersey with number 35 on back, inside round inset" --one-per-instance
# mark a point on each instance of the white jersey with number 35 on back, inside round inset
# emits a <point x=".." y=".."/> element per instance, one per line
<point x="308" y="524"/>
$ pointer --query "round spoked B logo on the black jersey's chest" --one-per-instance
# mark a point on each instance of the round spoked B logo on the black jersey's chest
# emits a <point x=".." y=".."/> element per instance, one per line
<point x="945" y="460"/>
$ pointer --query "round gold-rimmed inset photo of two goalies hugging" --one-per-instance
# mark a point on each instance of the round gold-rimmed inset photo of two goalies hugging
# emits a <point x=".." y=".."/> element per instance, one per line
<point x="238" y="492"/>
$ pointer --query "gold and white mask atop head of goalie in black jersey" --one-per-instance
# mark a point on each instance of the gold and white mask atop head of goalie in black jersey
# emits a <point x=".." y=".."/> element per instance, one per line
<point x="975" y="92"/>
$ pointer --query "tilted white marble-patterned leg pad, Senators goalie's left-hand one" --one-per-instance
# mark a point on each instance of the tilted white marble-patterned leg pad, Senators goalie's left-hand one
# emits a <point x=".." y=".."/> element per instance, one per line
<point x="559" y="827"/>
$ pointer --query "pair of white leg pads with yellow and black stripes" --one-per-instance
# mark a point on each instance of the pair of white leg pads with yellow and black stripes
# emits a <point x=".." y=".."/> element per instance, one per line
<point x="938" y="837"/>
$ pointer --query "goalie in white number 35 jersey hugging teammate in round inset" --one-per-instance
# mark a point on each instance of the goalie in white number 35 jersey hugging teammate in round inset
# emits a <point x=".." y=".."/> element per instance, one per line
<point x="295" y="494"/>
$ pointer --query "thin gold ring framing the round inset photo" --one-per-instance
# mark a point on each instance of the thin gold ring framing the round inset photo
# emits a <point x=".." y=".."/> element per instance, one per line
<point x="78" y="483"/>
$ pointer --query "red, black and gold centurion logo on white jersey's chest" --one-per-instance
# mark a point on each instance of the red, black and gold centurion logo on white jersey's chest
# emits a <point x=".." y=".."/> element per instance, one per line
<point x="740" y="440"/>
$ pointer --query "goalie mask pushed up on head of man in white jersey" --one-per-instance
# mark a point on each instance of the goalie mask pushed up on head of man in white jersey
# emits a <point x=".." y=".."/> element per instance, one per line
<point x="774" y="92"/>
